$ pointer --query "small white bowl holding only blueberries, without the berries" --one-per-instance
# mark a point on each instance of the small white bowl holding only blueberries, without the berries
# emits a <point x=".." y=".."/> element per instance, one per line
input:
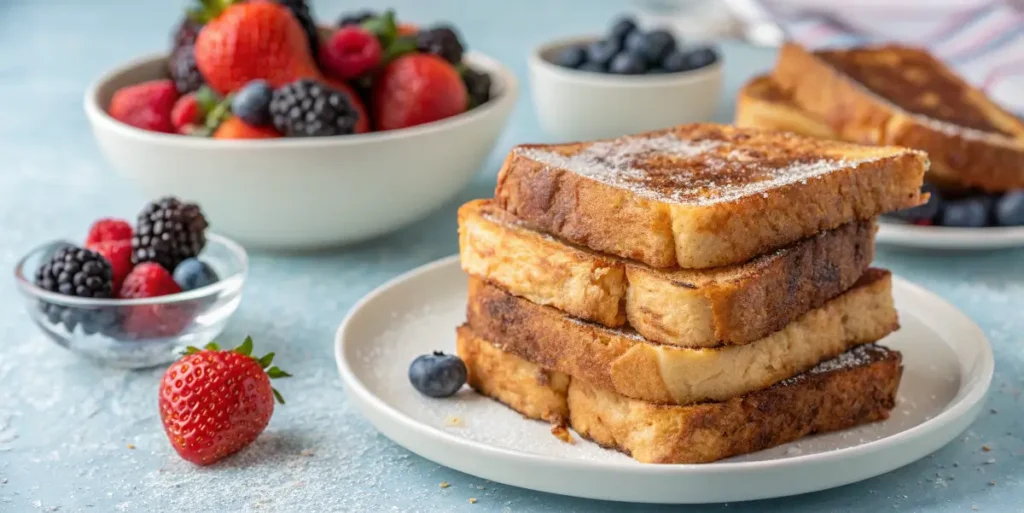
<point x="575" y="105"/>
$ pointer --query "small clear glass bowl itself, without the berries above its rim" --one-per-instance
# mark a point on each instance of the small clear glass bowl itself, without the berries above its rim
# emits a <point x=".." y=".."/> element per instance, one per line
<point x="138" y="333"/>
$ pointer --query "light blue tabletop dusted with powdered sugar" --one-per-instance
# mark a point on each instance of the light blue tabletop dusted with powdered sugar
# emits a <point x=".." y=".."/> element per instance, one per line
<point x="66" y="425"/>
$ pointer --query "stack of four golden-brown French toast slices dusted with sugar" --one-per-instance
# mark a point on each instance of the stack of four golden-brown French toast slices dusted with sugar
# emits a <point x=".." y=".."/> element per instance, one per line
<point x="690" y="294"/>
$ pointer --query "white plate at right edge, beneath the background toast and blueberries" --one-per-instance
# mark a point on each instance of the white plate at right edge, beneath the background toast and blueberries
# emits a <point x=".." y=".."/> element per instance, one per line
<point x="949" y="238"/>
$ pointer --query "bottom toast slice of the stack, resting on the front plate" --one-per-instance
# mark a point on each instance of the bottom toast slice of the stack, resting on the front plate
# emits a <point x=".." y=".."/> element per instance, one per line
<point x="857" y="388"/>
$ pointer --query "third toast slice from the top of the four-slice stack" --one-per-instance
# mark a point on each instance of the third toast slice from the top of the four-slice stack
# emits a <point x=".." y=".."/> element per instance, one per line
<point x="622" y="361"/>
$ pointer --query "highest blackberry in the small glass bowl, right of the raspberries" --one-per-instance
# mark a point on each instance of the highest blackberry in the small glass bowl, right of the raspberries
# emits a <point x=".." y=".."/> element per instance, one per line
<point x="168" y="232"/>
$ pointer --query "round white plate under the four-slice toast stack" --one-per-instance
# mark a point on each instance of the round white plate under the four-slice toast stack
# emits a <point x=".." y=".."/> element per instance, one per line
<point x="948" y="371"/>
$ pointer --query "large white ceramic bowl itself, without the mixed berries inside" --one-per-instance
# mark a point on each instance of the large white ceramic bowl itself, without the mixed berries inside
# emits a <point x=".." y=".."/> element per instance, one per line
<point x="305" y="193"/>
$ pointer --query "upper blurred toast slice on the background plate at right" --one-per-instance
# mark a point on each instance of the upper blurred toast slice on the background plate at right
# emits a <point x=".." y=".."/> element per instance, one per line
<point x="901" y="96"/>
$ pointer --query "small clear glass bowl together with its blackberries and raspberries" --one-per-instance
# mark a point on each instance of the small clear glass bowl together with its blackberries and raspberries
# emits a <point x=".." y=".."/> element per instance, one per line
<point x="135" y="296"/>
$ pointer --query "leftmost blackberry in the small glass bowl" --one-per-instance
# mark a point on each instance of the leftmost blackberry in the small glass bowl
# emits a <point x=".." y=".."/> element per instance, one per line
<point x="75" y="272"/>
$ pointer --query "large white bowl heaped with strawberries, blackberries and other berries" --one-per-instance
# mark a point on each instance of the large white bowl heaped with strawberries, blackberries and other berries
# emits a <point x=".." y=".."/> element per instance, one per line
<point x="294" y="136"/>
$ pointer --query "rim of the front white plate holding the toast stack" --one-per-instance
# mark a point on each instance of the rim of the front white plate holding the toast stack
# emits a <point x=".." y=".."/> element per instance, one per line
<point x="966" y="408"/>
